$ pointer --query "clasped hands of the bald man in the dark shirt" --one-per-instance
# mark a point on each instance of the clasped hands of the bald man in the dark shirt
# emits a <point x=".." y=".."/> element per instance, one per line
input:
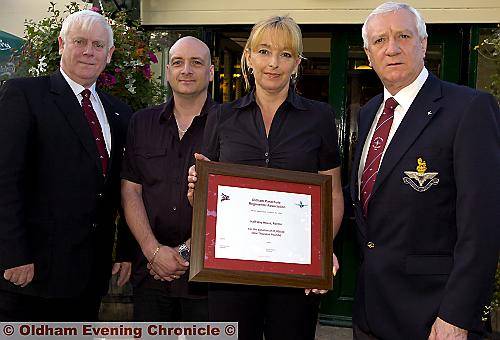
<point x="168" y="264"/>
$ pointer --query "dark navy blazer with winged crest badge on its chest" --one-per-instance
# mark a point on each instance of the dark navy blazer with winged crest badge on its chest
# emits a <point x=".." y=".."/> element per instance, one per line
<point x="434" y="252"/>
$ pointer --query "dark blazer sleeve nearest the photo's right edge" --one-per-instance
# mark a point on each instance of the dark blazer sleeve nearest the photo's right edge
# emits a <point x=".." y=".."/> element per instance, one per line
<point x="476" y="157"/>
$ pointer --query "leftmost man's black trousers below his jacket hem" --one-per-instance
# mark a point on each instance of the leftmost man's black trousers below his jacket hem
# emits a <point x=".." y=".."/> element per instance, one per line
<point x="20" y="307"/>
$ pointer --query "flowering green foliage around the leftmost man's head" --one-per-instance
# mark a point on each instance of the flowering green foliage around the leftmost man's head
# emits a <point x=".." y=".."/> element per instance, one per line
<point x="129" y="74"/>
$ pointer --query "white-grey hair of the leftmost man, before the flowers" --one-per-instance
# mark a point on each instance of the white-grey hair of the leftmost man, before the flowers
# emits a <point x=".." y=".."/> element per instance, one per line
<point x="86" y="19"/>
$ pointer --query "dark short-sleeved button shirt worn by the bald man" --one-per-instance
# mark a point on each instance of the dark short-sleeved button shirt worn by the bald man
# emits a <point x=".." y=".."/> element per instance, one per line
<point x="157" y="159"/>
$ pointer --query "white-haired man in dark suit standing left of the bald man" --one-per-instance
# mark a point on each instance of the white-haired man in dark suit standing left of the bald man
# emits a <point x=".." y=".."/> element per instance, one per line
<point x="61" y="144"/>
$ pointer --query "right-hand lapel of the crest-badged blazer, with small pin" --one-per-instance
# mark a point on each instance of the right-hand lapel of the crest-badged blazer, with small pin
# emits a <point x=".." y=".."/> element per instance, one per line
<point x="420" y="113"/>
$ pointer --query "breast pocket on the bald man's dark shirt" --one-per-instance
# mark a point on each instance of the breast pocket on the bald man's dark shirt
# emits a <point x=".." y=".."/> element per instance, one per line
<point x="152" y="164"/>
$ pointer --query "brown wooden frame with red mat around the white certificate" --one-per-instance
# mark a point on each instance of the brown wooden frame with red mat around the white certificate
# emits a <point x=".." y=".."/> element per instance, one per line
<point x="205" y="267"/>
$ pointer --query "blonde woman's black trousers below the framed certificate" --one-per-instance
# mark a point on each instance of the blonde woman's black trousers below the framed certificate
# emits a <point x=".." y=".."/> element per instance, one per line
<point x="278" y="313"/>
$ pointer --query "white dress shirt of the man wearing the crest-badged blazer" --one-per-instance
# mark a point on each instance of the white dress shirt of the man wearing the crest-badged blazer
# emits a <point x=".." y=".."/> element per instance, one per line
<point x="405" y="98"/>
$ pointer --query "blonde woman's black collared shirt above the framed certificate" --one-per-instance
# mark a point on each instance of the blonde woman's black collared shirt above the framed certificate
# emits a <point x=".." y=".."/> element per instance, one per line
<point x="302" y="136"/>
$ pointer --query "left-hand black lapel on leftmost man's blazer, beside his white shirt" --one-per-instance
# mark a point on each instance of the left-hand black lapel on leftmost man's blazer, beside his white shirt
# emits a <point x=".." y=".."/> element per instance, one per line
<point x="68" y="104"/>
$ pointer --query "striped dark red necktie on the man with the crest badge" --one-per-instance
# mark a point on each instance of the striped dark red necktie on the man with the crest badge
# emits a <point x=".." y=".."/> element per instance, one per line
<point x="375" y="151"/>
